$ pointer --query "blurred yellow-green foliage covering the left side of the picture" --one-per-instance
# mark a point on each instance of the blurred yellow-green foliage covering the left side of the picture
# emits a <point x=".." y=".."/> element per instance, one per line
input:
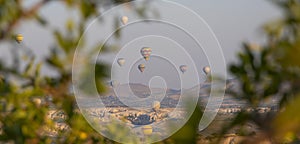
<point x="27" y="97"/>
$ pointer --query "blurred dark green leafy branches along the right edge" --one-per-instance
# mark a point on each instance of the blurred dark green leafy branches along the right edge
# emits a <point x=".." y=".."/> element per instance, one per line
<point x="272" y="71"/>
